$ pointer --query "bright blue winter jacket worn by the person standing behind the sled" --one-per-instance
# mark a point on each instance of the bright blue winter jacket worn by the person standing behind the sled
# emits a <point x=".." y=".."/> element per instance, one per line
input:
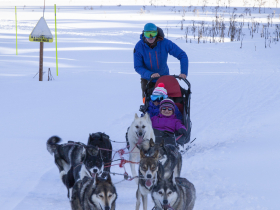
<point x="148" y="61"/>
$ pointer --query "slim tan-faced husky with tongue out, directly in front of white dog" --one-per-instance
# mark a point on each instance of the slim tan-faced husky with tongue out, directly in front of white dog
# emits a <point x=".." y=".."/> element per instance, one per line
<point x="148" y="168"/>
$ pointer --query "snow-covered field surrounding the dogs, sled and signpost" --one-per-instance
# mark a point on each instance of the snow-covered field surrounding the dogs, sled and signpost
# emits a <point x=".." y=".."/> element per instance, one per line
<point x="234" y="163"/>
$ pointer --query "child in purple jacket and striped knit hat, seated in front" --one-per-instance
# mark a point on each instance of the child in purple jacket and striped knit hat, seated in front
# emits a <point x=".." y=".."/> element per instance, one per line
<point x="166" y="120"/>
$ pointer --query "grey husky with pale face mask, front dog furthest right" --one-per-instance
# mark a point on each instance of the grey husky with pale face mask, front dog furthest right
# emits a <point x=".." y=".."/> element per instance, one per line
<point x="179" y="195"/>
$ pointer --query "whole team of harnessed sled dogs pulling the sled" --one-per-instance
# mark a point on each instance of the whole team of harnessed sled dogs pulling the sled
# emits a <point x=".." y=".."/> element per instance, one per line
<point x="85" y="170"/>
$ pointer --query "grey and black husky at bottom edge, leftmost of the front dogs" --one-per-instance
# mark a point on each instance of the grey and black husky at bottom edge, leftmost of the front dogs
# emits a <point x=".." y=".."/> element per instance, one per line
<point x="94" y="194"/>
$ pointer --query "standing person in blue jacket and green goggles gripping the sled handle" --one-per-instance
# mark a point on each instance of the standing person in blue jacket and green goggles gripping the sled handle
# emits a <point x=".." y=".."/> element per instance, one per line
<point x="151" y="52"/>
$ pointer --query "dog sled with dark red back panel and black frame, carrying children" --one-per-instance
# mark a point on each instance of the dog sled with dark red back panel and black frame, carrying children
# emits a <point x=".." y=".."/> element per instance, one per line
<point x="181" y="97"/>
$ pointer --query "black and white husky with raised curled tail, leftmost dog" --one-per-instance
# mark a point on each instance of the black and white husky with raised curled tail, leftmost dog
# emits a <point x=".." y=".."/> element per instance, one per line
<point x="74" y="160"/>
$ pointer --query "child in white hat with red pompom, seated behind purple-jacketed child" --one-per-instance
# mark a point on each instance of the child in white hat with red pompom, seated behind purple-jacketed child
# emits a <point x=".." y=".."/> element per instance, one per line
<point x="157" y="96"/>
